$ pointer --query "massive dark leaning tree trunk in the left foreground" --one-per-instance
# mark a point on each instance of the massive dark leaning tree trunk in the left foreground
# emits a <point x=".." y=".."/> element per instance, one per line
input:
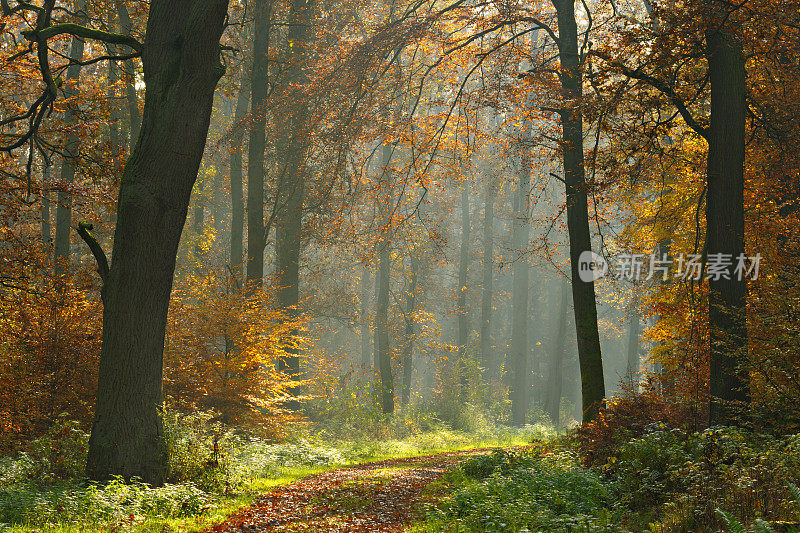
<point x="182" y="66"/>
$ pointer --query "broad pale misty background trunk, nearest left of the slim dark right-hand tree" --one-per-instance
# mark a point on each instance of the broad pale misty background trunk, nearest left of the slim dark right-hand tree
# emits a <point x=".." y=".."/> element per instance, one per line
<point x="520" y="372"/>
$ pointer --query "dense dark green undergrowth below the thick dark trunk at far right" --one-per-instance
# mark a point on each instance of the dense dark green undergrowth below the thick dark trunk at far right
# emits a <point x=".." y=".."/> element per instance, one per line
<point x="680" y="478"/>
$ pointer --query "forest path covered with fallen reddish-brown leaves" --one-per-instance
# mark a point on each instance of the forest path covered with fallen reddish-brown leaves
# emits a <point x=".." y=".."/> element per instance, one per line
<point x="379" y="497"/>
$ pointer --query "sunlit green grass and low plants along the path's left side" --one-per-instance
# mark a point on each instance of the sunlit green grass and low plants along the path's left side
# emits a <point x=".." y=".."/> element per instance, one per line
<point x="253" y="467"/>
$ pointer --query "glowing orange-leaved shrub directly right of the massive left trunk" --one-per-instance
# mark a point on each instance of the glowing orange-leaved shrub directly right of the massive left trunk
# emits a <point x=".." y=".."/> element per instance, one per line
<point x="222" y="350"/>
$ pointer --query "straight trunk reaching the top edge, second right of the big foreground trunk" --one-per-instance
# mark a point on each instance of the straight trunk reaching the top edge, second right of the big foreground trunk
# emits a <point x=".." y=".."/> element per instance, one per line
<point x="257" y="146"/>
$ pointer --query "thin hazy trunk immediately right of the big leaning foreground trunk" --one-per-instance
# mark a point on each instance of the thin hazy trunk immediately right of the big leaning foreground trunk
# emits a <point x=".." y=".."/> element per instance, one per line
<point x="237" y="177"/>
